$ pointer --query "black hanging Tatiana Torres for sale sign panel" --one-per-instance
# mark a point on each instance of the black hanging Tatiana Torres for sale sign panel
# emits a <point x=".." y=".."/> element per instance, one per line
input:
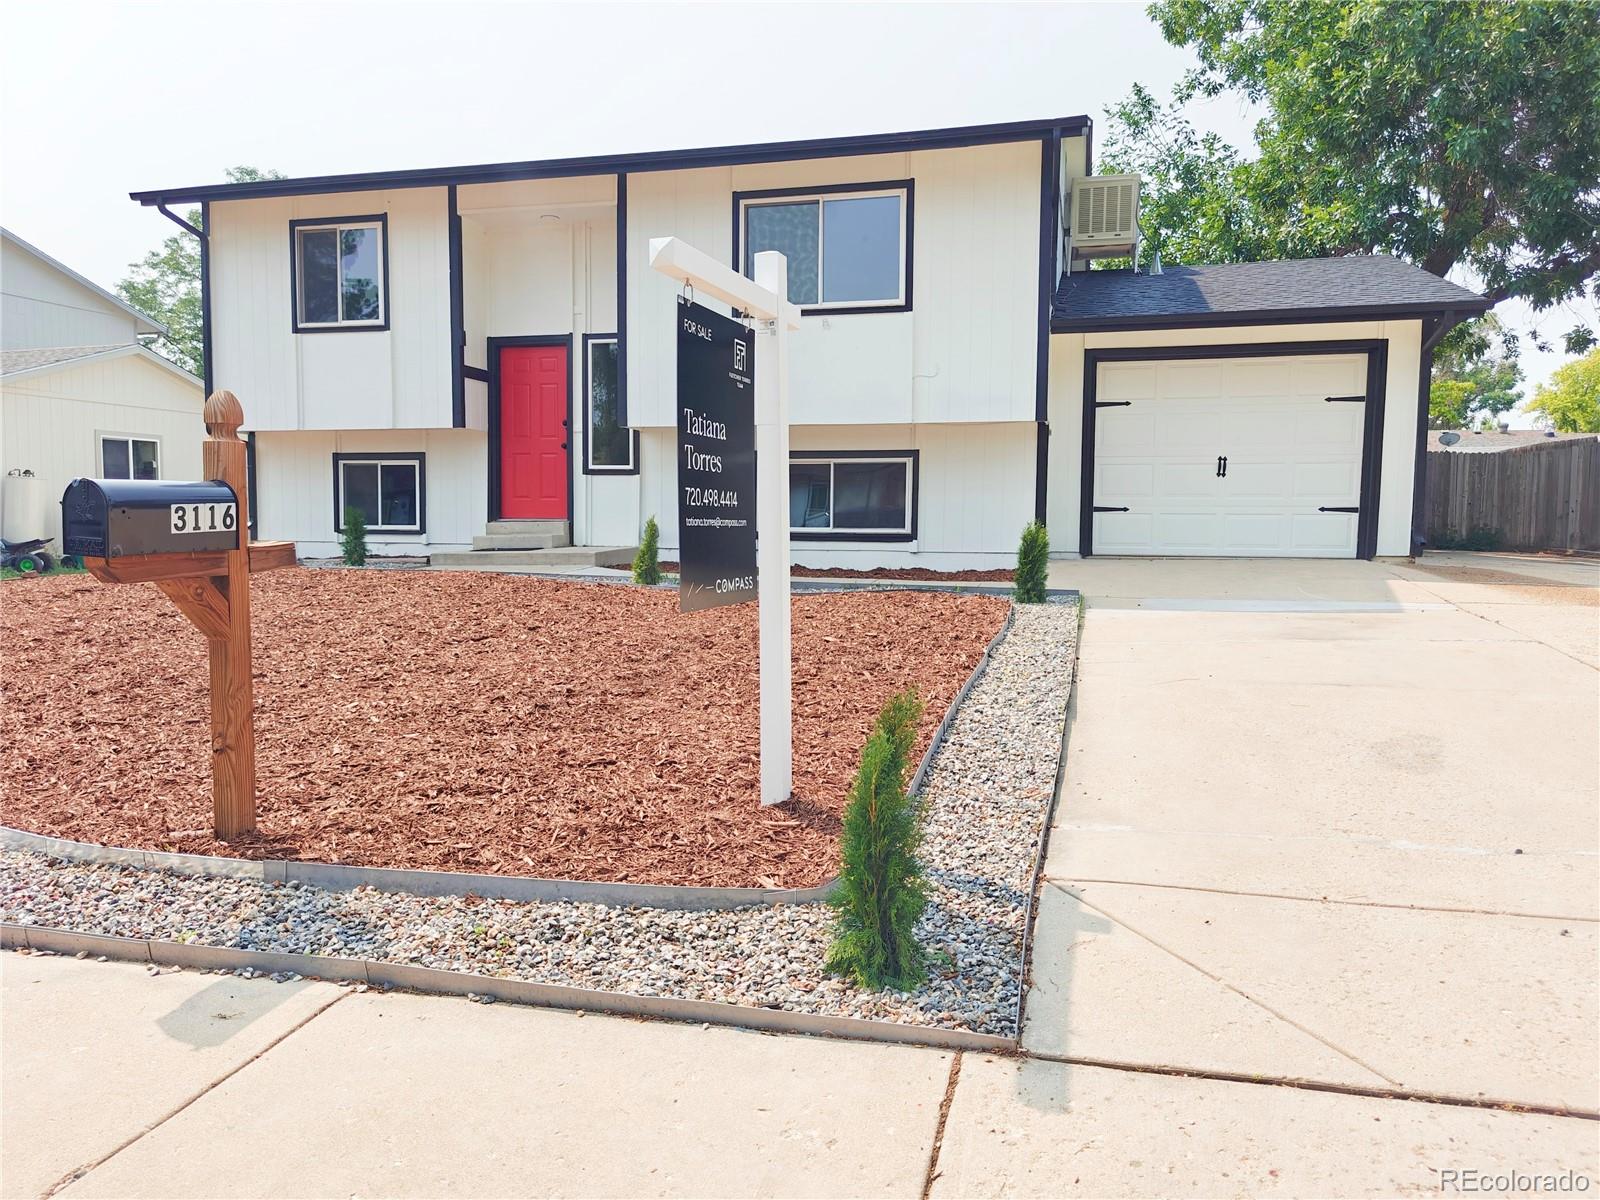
<point x="716" y="460"/>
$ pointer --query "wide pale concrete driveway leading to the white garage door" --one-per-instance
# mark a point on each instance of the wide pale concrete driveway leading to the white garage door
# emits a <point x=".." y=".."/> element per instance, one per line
<point x="1335" y="823"/>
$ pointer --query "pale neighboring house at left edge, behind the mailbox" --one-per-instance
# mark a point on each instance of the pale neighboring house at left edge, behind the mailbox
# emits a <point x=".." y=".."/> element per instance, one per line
<point x="79" y="394"/>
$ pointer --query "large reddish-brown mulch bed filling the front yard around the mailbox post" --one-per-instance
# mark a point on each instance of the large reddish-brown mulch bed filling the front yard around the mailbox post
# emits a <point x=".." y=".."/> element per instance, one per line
<point x="465" y="722"/>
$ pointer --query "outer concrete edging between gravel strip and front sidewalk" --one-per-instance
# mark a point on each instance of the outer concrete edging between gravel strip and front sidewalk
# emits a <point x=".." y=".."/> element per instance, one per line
<point x="513" y="991"/>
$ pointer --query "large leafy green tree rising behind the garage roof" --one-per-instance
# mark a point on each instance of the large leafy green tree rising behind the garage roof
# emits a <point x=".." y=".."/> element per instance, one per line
<point x="1450" y="135"/>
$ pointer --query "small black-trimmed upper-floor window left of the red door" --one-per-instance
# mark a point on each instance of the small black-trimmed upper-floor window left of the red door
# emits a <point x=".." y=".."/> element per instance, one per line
<point x="342" y="273"/>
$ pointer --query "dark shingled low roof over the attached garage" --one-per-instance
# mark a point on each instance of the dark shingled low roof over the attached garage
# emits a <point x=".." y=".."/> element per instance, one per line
<point x="1257" y="294"/>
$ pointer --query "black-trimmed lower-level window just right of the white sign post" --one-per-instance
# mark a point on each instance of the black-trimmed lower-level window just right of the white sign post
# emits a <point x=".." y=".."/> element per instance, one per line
<point x="854" y="495"/>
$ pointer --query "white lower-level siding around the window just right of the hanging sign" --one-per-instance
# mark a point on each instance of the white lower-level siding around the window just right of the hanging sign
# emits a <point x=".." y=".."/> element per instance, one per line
<point x="975" y="492"/>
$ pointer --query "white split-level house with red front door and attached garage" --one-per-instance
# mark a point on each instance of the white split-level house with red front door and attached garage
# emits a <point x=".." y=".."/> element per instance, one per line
<point x="484" y="358"/>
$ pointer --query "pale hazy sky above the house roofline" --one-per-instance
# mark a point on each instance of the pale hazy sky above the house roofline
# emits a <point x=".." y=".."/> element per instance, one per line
<point x="102" y="98"/>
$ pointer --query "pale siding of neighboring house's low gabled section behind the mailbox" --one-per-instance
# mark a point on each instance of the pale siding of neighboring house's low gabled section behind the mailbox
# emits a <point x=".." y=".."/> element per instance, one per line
<point x="52" y="423"/>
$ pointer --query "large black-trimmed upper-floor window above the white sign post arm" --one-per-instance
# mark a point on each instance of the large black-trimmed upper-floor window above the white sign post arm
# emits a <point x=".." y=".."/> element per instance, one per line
<point x="849" y="249"/>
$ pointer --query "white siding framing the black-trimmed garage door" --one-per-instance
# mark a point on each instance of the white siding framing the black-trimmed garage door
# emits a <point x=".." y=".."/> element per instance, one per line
<point x="1399" y="444"/>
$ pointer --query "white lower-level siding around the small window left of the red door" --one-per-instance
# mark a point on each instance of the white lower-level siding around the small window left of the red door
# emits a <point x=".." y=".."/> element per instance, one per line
<point x="295" y="487"/>
